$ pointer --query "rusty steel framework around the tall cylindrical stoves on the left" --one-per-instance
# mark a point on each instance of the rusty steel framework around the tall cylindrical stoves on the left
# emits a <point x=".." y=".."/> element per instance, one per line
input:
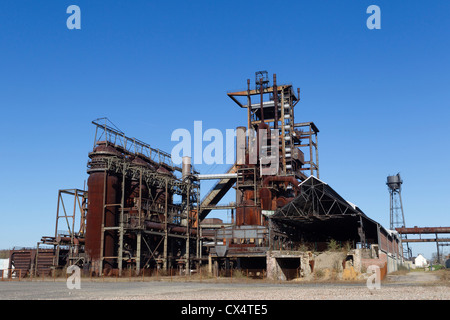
<point x="133" y="162"/>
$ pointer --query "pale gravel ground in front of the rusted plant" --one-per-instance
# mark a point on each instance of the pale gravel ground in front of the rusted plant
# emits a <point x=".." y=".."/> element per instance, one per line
<point x="402" y="287"/>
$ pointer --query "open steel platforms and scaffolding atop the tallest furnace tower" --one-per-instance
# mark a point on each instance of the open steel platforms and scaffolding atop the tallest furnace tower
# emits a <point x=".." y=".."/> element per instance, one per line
<point x="276" y="108"/>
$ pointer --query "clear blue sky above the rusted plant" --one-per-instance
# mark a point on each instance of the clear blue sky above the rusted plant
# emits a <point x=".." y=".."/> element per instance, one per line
<point x="380" y="98"/>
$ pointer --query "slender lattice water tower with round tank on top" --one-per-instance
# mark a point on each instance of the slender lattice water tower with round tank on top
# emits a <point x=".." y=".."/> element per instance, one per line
<point x="397" y="217"/>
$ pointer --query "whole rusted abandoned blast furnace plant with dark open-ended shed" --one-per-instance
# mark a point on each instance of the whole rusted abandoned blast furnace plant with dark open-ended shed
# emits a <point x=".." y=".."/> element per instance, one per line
<point x="140" y="211"/>
